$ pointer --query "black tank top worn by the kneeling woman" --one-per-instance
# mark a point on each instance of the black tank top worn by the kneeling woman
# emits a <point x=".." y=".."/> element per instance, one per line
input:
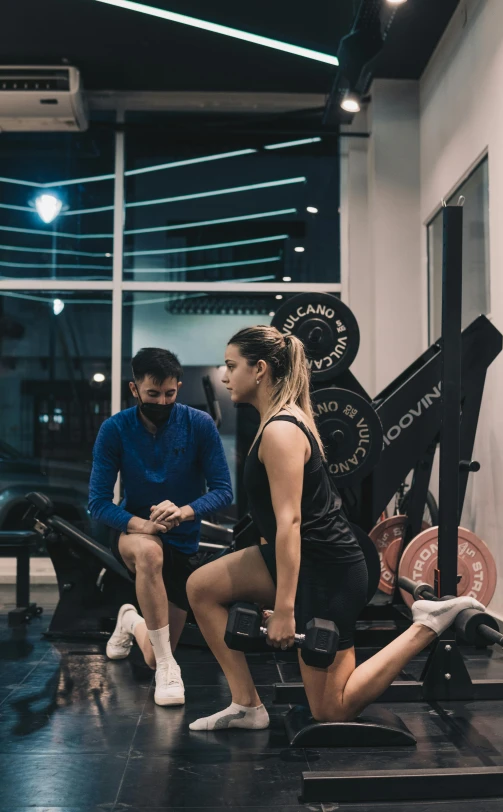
<point x="325" y="531"/>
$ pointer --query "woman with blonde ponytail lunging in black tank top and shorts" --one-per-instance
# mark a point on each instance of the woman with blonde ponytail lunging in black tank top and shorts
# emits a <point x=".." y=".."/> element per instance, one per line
<point x="311" y="565"/>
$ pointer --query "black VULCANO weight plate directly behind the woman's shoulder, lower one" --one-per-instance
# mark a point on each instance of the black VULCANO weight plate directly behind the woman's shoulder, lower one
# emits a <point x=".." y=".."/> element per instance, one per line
<point x="351" y="432"/>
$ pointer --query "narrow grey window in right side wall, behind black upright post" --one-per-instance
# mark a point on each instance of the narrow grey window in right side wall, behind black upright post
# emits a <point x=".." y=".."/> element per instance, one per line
<point x="476" y="291"/>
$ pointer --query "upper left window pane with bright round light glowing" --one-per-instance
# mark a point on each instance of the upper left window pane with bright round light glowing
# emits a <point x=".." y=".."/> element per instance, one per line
<point x="56" y="205"/>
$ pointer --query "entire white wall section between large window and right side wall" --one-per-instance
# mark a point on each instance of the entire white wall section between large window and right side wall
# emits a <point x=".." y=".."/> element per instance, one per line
<point x="380" y="234"/>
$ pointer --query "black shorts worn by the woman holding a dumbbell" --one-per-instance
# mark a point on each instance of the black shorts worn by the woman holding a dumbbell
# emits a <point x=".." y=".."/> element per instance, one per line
<point x="331" y="591"/>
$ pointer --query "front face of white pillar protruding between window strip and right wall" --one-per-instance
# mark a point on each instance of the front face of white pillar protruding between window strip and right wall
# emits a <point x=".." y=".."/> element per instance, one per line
<point x="394" y="233"/>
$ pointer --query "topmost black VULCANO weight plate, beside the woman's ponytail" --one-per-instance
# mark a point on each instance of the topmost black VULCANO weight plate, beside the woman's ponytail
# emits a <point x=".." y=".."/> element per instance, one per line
<point x="326" y="327"/>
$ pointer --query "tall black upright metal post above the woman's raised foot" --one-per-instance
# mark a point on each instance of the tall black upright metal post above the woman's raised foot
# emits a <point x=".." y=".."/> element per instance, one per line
<point x="451" y="401"/>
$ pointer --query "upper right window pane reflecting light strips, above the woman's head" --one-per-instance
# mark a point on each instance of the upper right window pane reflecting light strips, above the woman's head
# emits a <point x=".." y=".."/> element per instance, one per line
<point x="220" y="205"/>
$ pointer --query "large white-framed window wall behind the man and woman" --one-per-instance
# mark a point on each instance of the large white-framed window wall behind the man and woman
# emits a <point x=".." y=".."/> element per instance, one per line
<point x="214" y="228"/>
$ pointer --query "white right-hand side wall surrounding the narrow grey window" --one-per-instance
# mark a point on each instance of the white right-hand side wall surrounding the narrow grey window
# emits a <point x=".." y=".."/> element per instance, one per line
<point x="461" y="117"/>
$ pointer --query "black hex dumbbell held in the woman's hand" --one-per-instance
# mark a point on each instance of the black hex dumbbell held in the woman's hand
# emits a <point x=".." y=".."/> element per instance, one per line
<point x="318" y="645"/>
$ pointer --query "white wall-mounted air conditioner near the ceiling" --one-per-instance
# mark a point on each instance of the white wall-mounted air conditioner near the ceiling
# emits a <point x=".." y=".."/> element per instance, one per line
<point x="41" y="99"/>
